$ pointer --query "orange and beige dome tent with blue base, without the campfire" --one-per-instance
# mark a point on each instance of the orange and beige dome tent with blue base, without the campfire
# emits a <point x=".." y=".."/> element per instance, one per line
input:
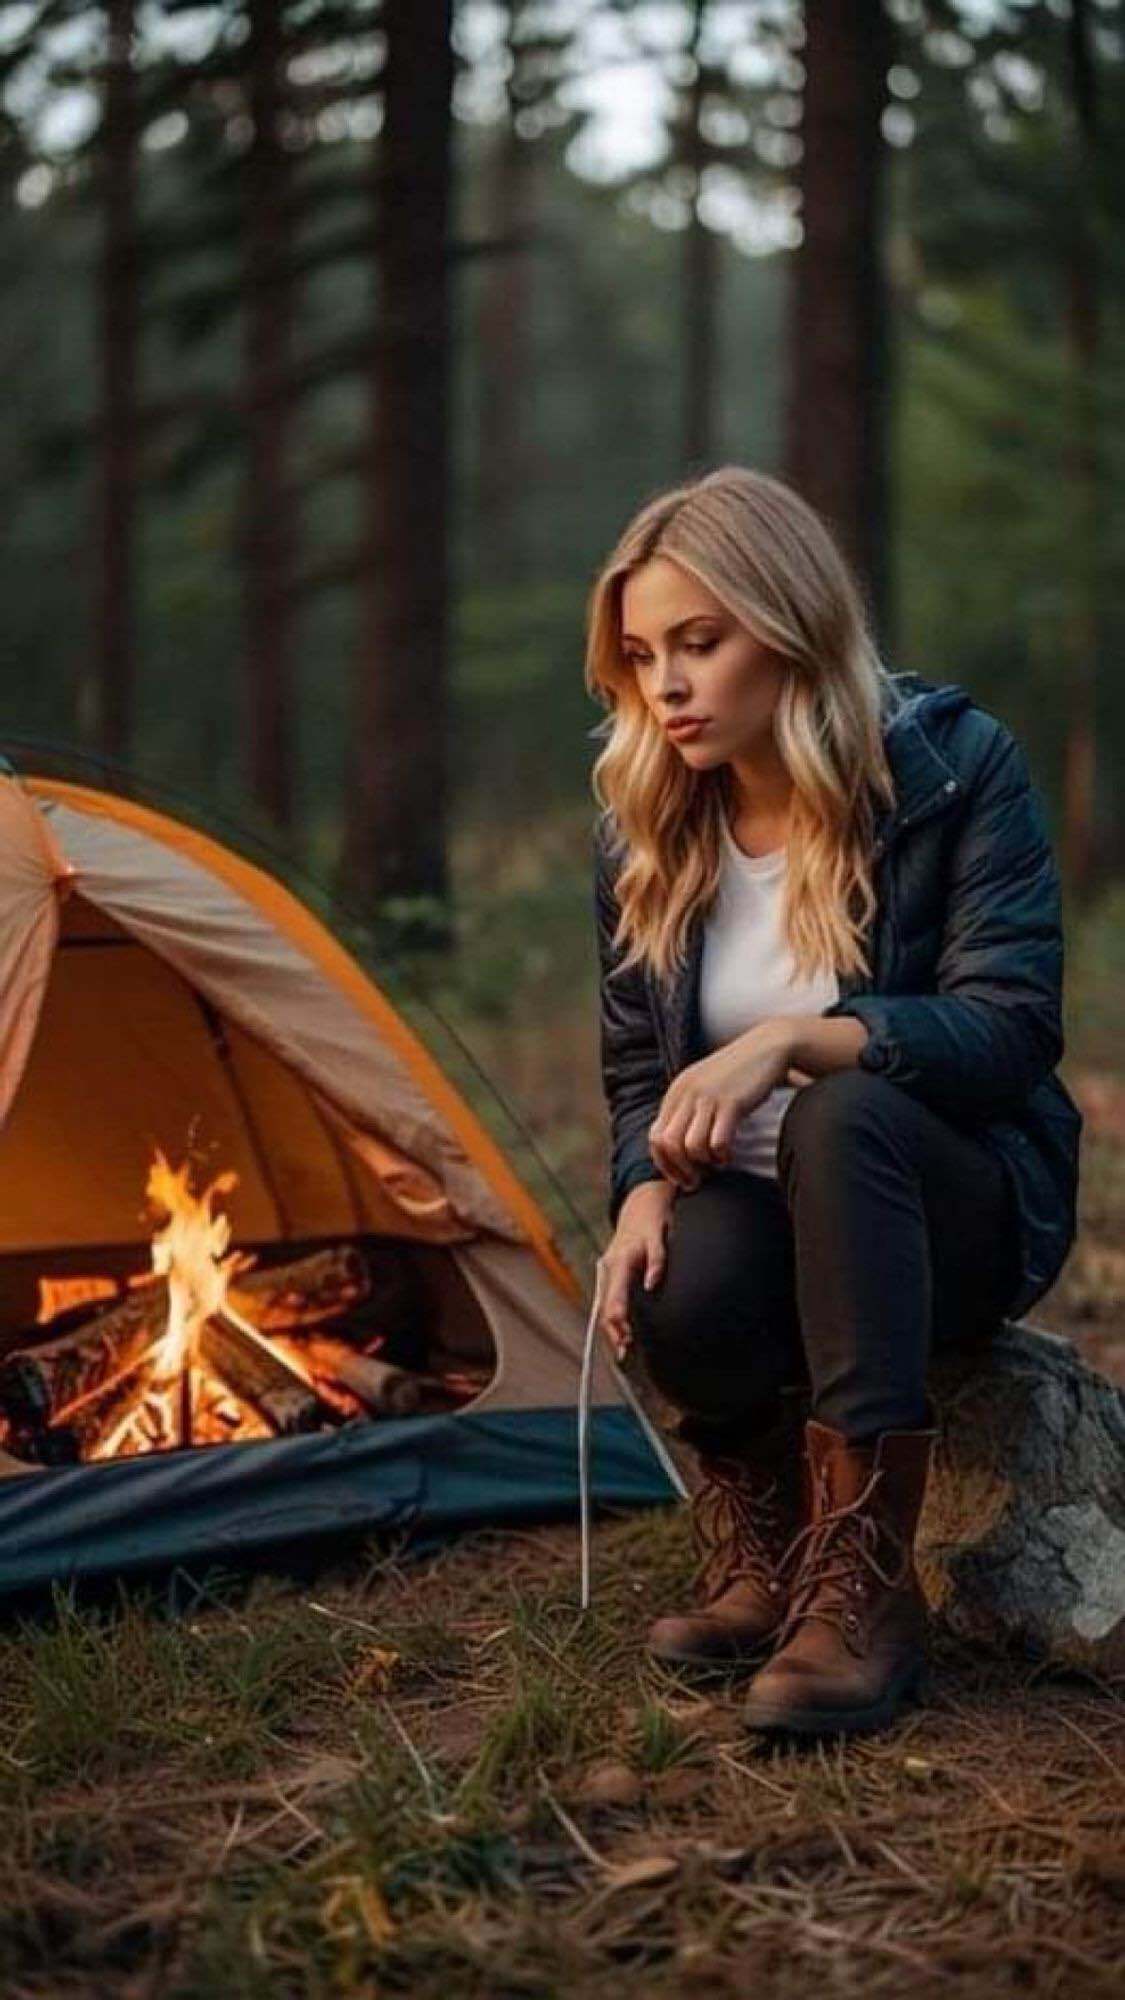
<point x="151" y="977"/>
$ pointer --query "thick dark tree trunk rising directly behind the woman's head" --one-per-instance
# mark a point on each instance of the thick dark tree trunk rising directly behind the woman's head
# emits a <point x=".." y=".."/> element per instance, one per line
<point x="840" y="393"/>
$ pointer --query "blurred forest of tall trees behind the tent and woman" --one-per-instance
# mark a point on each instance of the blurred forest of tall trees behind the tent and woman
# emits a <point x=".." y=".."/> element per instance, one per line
<point x="341" y="337"/>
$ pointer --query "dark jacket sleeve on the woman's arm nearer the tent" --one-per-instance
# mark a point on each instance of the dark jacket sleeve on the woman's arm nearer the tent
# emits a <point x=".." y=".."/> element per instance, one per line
<point x="632" y="1063"/>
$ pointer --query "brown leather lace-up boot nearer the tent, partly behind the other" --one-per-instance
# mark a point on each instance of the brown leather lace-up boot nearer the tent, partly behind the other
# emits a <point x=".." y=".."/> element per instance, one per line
<point x="746" y="1517"/>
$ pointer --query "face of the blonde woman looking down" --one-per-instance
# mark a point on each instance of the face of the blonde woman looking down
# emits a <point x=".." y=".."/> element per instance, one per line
<point x="692" y="657"/>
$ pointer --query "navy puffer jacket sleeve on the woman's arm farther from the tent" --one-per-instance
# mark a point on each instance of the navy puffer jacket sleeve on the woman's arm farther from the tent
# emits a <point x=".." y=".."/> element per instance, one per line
<point x="994" y="1027"/>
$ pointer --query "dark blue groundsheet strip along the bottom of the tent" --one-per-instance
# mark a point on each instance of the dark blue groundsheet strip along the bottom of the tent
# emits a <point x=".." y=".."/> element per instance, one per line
<point x="233" y="1501"/>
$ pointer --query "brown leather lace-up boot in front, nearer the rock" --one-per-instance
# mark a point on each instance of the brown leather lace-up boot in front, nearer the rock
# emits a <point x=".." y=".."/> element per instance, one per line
<point x="854" y="1637"/>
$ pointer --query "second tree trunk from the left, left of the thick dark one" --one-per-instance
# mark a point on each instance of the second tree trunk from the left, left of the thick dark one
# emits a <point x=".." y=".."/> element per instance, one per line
<point x="267" y="509"/>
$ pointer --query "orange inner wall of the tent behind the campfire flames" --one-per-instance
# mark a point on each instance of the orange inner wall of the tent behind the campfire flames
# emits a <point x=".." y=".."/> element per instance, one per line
<point x="127" y="1059"/>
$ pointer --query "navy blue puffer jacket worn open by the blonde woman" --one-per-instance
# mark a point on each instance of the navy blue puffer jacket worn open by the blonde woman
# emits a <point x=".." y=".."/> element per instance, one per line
<point x="964" y="1007"/>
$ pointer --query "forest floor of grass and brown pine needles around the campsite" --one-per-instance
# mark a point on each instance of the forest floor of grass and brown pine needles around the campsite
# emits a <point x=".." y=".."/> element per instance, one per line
<point x="435" y="1779"/>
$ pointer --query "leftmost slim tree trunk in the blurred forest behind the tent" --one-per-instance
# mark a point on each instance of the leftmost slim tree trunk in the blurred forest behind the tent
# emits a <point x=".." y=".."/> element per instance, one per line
<point x="115" y="637"/>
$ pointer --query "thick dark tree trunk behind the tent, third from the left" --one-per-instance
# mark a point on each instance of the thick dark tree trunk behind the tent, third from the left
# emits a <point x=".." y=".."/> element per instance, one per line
<point x="397" y="807"/>
